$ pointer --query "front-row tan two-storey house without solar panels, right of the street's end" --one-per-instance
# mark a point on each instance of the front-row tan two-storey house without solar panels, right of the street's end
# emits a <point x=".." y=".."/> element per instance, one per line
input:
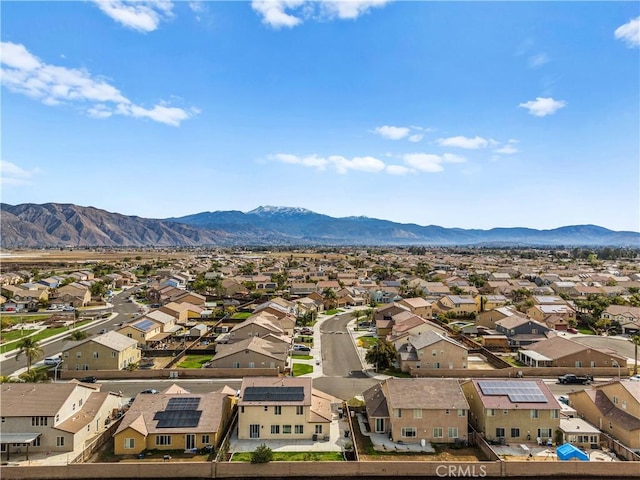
<point x="410" y="410"/>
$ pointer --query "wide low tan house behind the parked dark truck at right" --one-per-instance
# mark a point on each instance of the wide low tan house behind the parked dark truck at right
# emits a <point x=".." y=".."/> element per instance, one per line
<point x="559" y="351"/>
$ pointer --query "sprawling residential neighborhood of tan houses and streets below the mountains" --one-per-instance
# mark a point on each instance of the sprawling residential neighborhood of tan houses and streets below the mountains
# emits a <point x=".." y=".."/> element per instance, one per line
<point x="453" y="361"/>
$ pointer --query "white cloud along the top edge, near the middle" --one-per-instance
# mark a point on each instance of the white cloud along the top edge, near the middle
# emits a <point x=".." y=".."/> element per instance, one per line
<point x="290" y="13"/>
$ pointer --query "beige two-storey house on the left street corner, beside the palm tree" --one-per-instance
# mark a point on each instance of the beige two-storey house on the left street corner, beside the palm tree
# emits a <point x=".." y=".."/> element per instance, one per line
<point x="110" y="351"/>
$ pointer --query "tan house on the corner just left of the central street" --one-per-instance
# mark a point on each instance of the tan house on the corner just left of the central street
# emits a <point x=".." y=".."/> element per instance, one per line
<point x="252" y="352"/>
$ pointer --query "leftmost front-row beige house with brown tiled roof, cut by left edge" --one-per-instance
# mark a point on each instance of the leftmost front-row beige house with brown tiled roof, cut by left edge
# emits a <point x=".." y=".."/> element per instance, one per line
<point x="52" y="417"/>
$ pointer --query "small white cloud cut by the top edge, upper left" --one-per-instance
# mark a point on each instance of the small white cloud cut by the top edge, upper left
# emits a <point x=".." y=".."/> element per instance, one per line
<point x="141" y="15"/>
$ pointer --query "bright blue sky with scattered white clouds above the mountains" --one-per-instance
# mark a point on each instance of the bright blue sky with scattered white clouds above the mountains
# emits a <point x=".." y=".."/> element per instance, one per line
<point x="471" y="115"/>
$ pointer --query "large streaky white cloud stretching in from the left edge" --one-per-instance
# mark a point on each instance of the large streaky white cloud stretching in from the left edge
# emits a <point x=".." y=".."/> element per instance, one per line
<point x="23" y="73"/>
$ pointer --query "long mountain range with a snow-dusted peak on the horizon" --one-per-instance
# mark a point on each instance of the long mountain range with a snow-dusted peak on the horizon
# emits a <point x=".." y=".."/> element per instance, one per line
<point x="54" y="224"/>
